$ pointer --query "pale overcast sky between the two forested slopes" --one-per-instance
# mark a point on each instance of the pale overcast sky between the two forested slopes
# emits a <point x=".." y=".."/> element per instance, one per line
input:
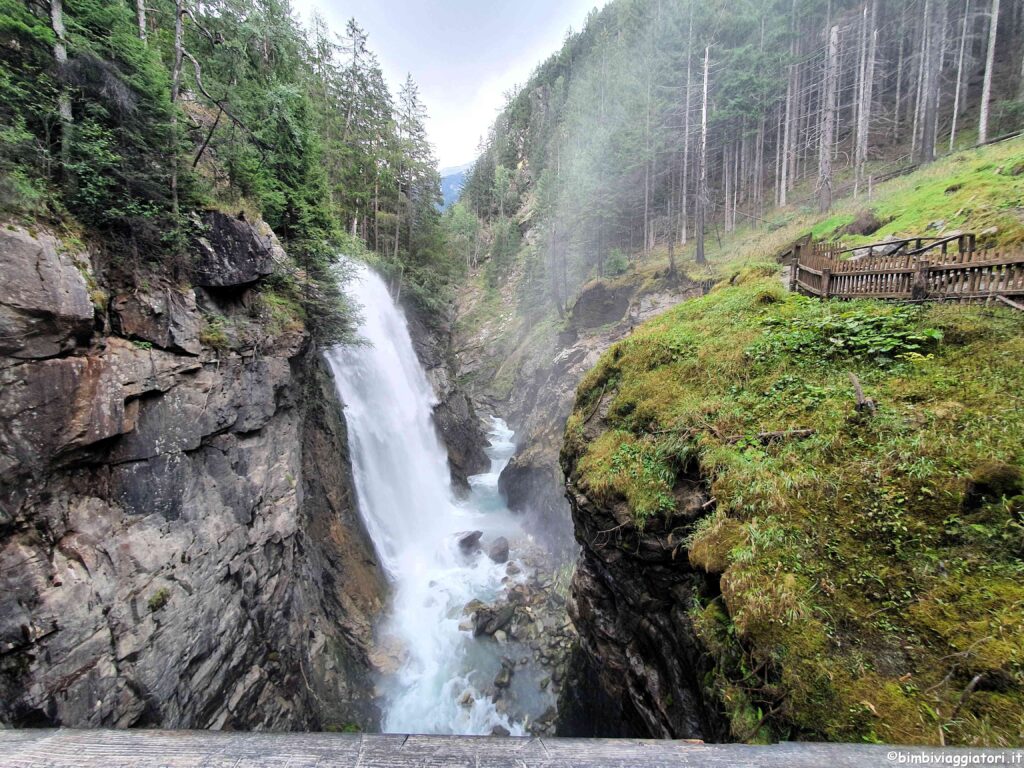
<point x="465" y="55"/>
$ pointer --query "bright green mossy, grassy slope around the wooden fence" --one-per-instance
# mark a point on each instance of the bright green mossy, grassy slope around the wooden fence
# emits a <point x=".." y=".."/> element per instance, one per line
<point x="864" y="587"/>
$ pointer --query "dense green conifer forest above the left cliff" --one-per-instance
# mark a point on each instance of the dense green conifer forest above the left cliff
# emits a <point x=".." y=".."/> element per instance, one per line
<point x="123" y="118"/>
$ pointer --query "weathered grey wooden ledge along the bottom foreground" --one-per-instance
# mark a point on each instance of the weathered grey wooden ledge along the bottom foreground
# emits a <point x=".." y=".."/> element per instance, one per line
<point x="156" y="749"/>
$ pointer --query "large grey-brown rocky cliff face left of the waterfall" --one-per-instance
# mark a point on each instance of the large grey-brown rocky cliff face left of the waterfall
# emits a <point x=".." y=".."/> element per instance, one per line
<point x="180" y="544"/>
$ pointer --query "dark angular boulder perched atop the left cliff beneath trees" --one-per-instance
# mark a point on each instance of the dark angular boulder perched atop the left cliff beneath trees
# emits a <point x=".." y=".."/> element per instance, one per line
<point x="232" y="252"/>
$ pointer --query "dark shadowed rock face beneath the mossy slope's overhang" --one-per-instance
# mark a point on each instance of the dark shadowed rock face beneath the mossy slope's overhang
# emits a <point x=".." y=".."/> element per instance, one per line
<point x="629" y="602"/>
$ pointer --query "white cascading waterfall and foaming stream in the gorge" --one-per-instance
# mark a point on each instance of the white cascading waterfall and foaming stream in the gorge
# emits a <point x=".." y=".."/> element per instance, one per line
<point x="407" y="503"/>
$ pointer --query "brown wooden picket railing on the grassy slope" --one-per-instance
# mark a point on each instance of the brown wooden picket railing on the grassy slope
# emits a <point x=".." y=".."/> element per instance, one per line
<point x="965" y="276"/>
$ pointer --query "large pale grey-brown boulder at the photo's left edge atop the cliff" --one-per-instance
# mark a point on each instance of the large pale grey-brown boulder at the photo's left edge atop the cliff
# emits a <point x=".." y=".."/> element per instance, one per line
<point x="45" y="301"/>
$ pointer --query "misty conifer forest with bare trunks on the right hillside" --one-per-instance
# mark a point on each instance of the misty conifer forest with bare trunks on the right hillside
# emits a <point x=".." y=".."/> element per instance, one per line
<point x="666" y="124"/>
